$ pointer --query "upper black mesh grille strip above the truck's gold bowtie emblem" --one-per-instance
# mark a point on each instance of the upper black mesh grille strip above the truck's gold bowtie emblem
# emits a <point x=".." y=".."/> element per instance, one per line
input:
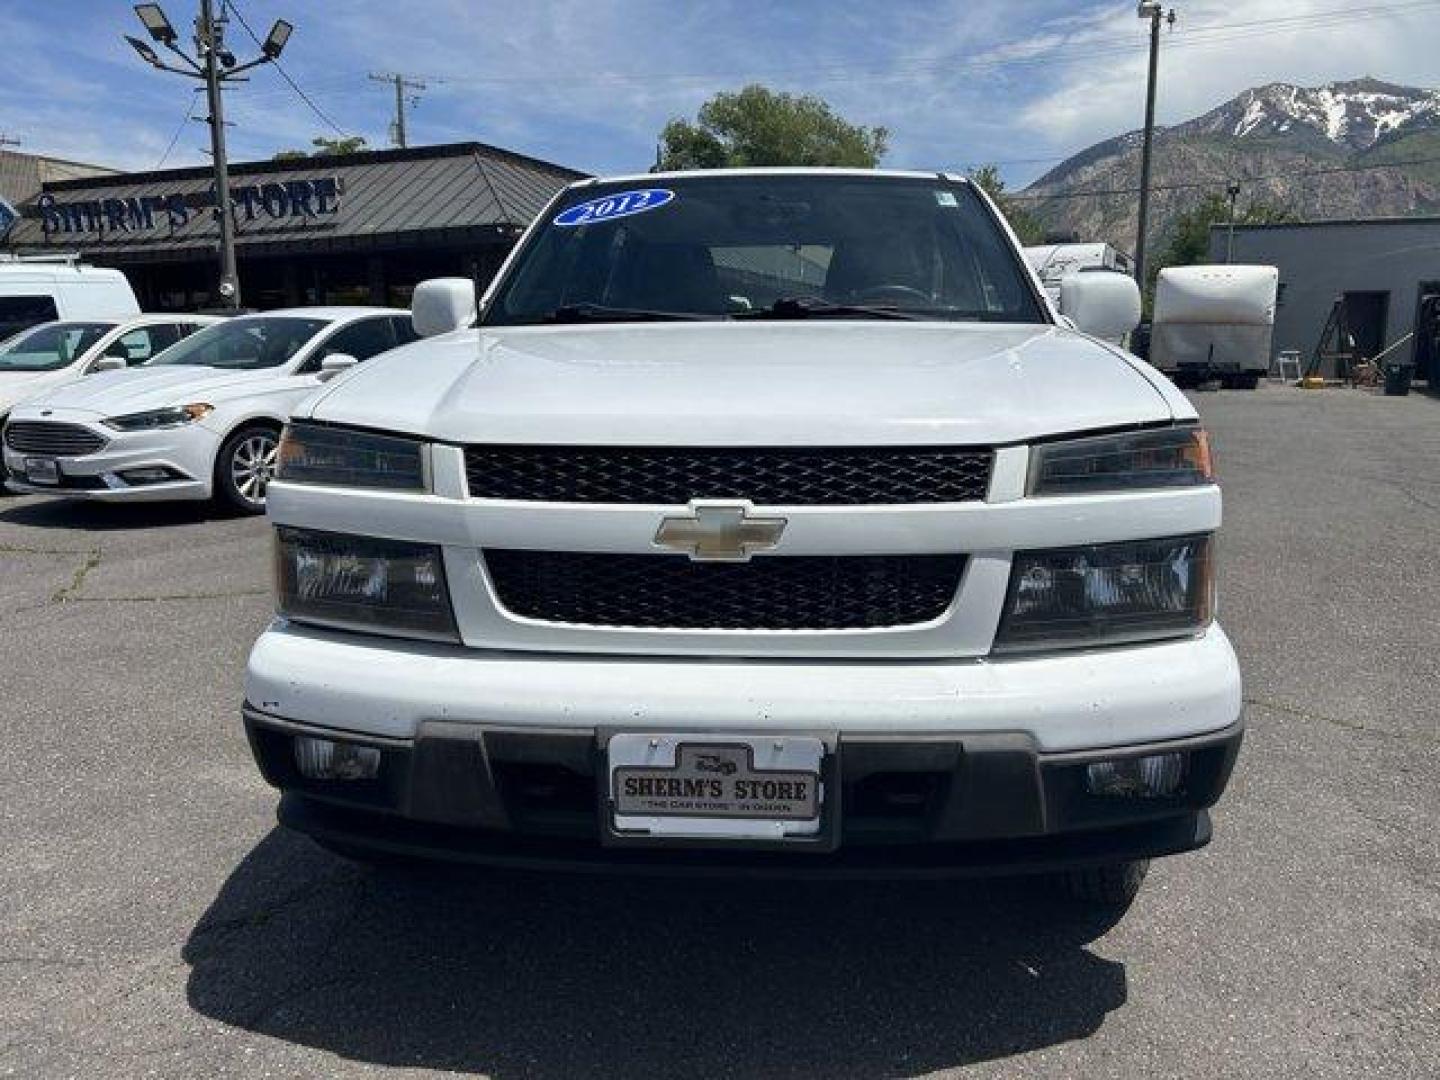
<point x="762" y="474"/>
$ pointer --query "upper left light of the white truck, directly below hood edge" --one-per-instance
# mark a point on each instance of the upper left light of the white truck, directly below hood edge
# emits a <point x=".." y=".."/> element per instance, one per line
<point x="343" y="457"/>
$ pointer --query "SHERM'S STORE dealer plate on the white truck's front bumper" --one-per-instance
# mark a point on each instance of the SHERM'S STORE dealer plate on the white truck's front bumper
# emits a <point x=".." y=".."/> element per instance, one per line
<point x="752" y="787"/>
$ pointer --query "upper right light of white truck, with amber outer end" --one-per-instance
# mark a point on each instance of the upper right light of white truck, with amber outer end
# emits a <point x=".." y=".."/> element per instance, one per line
<point x="1158" y="459"/>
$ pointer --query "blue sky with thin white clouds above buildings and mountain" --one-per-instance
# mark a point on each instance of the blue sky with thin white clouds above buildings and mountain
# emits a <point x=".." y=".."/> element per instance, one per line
<point x="591" y="83"/>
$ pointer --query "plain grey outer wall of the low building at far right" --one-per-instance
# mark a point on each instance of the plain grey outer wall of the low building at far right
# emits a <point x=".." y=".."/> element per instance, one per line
<point x="1321" y="261"/>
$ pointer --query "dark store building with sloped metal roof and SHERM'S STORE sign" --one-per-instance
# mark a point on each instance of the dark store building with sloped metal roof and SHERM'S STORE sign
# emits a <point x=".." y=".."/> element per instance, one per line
<point x="345" y="230"/>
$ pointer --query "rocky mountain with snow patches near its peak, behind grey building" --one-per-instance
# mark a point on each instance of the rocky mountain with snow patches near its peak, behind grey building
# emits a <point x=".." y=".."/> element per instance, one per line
<point x="1315" y="152"/>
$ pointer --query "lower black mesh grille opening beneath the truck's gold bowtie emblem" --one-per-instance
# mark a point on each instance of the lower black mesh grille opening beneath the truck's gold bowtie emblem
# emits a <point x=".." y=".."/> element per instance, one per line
<point x="767" y="594"/>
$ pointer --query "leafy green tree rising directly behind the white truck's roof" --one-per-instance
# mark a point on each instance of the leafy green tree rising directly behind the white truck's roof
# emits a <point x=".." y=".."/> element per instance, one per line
<point x="761" y="127"/>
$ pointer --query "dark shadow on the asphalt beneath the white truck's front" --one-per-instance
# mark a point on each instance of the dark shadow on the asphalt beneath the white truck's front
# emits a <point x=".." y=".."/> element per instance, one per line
<point x="516" y="976"/>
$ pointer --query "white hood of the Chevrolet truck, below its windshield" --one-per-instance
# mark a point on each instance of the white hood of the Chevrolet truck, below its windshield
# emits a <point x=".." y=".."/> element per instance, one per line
<point x="744" y="384"/>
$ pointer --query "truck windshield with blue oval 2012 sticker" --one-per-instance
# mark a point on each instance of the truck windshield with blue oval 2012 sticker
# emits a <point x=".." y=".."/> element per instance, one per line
<point x="768" y="247"/>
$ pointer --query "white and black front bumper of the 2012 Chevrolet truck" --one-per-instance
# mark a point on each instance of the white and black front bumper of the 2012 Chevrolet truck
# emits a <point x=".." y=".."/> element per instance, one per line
<point x="938" y="768"/>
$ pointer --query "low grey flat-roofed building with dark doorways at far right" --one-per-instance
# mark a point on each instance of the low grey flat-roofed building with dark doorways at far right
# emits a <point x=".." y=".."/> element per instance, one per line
<point x="1385" y="273"/>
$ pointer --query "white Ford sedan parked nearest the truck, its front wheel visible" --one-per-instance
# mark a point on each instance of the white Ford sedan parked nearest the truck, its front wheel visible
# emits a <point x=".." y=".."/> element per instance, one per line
<point x="202" y="421"/>
